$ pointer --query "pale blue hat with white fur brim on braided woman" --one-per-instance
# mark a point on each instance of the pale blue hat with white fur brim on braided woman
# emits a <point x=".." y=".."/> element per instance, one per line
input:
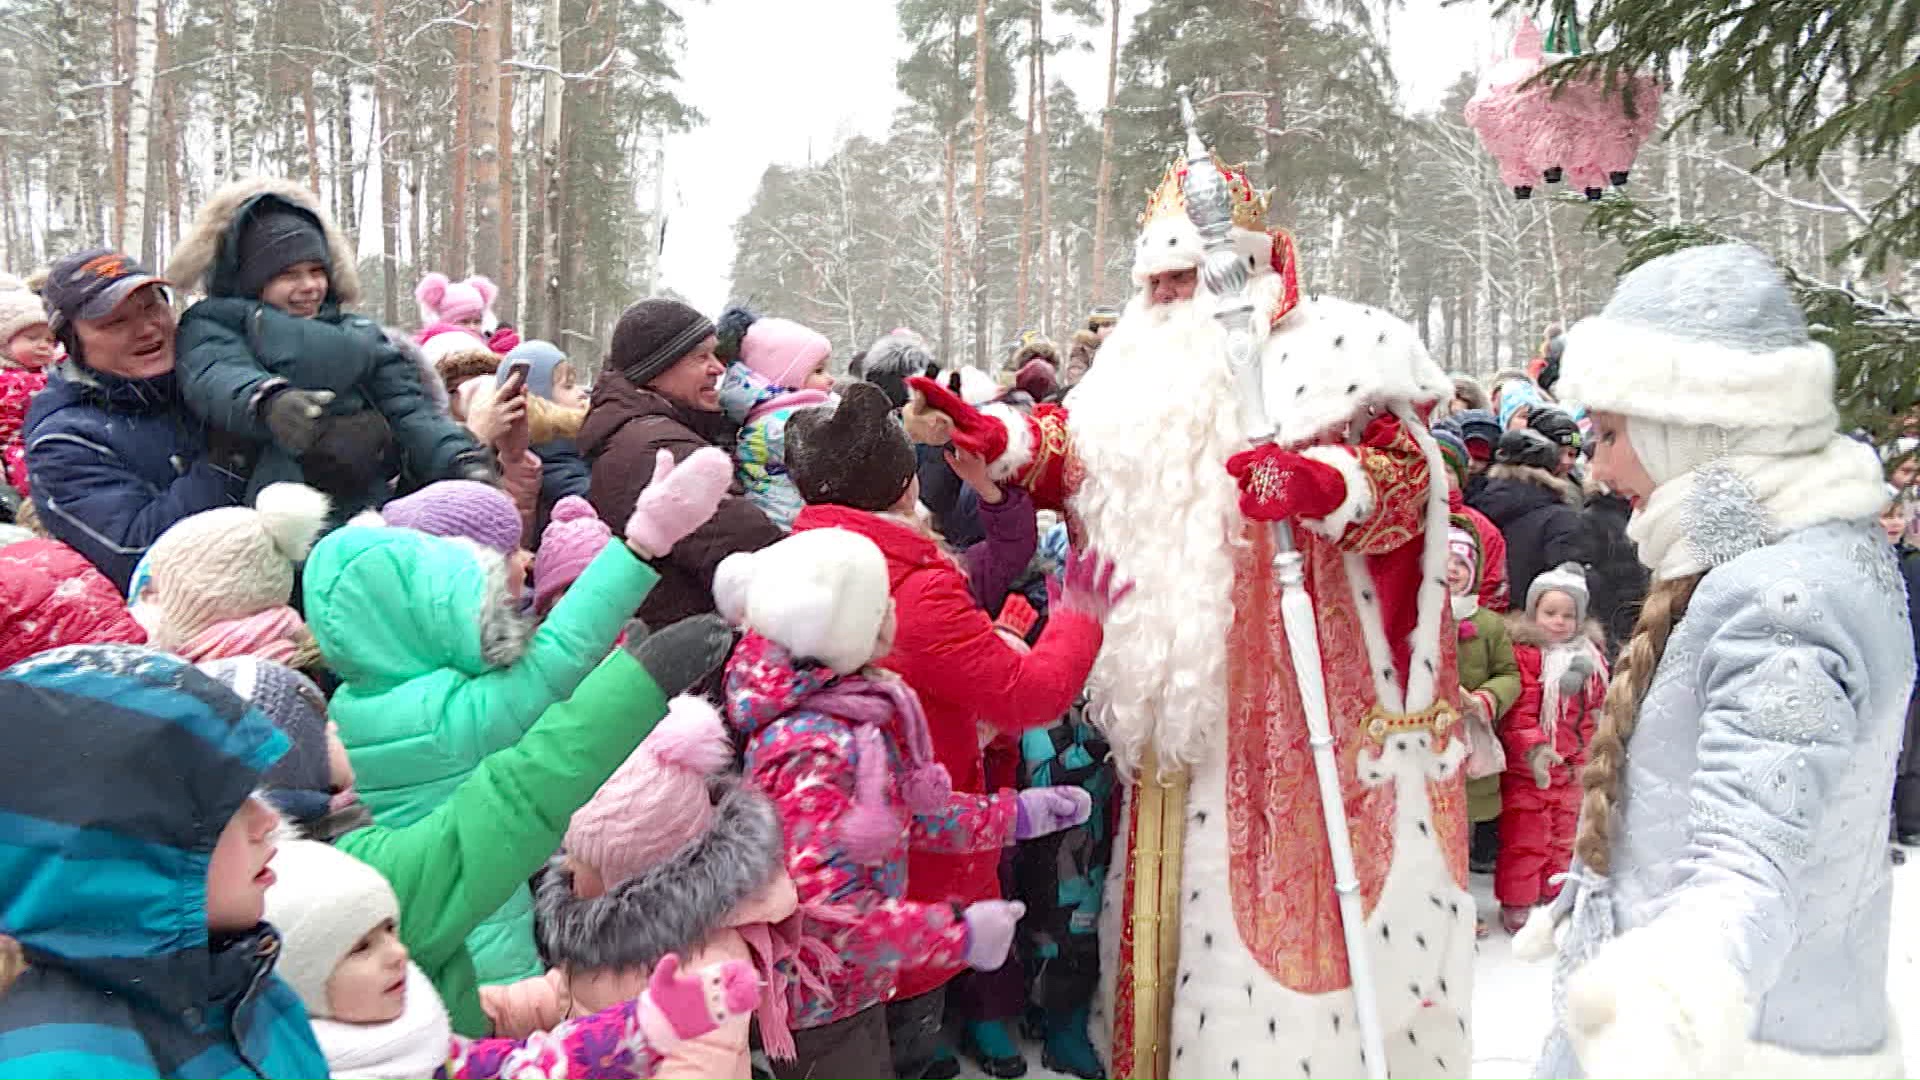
<point x="1706" y="337"/>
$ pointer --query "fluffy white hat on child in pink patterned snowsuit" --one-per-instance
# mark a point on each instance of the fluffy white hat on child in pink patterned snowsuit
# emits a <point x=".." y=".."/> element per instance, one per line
<point x="819" y="595"/>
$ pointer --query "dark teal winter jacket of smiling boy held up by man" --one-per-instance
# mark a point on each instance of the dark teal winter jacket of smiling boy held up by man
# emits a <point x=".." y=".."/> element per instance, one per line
<point x="231" y="351"/>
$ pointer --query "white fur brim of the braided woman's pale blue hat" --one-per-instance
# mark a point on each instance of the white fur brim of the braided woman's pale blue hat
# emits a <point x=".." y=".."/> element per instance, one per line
<point x="1621" y="368"/>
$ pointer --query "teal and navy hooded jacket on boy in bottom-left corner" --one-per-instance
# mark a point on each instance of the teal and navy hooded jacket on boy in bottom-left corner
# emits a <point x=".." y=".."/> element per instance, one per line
<point x="114" y="800"/>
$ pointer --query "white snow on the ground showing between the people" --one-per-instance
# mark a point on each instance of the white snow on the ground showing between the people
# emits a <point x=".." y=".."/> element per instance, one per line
<point x="1512" y="1008"/>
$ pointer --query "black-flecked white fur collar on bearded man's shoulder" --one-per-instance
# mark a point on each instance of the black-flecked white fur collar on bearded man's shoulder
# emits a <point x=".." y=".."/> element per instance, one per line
<point x="1330" y="360"/>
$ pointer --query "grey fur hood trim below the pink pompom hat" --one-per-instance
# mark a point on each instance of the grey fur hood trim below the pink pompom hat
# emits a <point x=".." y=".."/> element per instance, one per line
<point x="704" y="889"/>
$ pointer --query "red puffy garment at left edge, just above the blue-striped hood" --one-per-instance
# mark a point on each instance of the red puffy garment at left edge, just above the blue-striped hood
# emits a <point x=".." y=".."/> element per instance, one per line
<point x="53" y="597"/>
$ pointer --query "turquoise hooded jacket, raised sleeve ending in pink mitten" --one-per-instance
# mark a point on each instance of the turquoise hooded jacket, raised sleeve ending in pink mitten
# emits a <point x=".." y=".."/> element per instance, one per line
<point x="408" y="627"/>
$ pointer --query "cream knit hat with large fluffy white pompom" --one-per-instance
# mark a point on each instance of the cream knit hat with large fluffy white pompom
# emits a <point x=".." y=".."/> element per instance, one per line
<point x="231" y="562"/>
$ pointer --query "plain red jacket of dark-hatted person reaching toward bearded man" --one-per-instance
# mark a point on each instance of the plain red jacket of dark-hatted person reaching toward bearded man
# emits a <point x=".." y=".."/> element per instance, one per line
<point x="967" y="675"/>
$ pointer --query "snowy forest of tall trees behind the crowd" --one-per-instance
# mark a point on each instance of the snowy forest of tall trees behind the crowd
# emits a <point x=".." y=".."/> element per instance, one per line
<point x="517" y="139"/>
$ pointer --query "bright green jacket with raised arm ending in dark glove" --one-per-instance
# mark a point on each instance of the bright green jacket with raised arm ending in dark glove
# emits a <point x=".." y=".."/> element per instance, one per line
<point x="460" y="864"/>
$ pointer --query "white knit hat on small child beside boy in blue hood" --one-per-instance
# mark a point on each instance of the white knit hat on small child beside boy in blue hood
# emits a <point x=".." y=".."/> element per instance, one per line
<point x="324" y="902"/>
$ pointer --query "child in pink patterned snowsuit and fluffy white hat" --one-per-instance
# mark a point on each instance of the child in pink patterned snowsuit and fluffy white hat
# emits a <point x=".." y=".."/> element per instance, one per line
<point x="846" y="756"/>
